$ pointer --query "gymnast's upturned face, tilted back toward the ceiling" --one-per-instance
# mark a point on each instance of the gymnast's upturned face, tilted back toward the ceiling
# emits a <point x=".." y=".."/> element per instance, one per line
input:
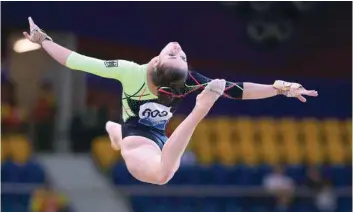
<point x="172" y="55"/>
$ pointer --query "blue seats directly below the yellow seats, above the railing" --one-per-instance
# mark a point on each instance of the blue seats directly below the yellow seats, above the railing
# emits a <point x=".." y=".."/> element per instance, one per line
<point x="239" y="175"/>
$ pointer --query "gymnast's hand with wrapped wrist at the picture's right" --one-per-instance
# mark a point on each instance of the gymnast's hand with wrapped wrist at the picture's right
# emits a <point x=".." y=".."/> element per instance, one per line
<point x="290" y="89"/>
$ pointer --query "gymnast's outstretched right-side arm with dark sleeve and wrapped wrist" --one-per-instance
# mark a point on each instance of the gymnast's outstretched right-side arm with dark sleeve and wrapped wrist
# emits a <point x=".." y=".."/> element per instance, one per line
<point x="248" y="90"/>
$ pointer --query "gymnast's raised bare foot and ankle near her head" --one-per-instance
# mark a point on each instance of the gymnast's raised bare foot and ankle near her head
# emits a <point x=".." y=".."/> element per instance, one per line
<point x="206" y="99"/>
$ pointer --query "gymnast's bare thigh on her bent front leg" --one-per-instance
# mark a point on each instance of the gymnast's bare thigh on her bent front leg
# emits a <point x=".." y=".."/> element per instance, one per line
<point x="142" y="157"/>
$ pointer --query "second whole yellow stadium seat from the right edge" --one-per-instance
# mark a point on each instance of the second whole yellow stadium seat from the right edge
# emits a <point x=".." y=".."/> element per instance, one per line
<point x="312" y="145"/>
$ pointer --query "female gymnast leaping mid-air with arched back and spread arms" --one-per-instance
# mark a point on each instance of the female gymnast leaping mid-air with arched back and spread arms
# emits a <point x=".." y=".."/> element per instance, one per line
<point x="151" y="93"/>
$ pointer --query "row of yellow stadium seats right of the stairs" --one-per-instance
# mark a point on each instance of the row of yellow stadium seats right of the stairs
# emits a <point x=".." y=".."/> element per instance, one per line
<point x="256" y="141"/>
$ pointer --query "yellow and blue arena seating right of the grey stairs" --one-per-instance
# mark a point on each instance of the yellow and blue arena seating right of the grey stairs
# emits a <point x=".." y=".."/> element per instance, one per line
<point x="241" y="152"/>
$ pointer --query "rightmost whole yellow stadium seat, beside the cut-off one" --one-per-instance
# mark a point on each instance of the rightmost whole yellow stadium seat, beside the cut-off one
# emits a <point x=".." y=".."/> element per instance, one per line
<point x="332" y="132"/>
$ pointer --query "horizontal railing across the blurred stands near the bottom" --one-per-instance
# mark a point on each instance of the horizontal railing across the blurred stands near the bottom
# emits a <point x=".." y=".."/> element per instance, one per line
<point x="175" y="190"/>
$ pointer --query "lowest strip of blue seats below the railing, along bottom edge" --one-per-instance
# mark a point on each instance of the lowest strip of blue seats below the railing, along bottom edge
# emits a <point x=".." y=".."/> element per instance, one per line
<point x="192" y="204"/>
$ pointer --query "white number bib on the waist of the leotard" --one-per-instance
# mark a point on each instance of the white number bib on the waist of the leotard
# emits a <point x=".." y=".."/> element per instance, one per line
<point x="154" y="115"/>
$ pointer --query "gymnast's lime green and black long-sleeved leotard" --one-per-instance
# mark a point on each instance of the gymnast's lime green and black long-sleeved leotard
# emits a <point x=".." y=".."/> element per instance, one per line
<point x="144" y="113"/>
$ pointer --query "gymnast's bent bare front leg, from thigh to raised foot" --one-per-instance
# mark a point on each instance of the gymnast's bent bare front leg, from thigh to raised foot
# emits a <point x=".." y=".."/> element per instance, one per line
<point x="144" y="159"/>
